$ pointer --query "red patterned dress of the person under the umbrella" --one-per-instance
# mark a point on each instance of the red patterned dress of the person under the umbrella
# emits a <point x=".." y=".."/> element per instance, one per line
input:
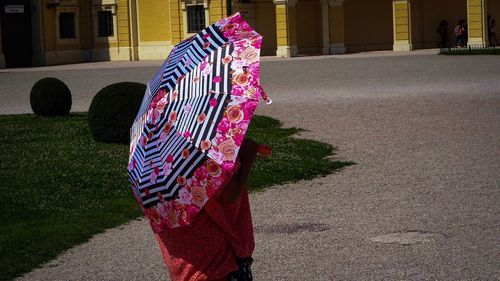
<point x="207" y="249"/>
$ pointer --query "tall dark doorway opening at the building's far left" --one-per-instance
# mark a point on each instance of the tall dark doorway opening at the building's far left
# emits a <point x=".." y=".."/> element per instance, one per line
<point x="15" y="16"/>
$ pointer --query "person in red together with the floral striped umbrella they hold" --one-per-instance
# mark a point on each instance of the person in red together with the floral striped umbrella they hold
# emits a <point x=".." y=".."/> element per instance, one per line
<point x="189" y="158"/>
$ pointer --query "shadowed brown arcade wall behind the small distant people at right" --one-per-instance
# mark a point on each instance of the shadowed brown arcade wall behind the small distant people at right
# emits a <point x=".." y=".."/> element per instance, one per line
<point x="428" y="14"/>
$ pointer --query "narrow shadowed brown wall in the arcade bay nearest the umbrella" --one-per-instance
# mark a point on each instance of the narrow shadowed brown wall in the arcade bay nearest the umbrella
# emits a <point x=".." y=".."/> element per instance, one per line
<point x="309" y="27"/>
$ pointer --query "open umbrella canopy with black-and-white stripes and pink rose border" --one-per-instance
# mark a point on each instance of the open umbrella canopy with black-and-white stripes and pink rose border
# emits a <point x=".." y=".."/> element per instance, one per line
<point x="192" y="121"/>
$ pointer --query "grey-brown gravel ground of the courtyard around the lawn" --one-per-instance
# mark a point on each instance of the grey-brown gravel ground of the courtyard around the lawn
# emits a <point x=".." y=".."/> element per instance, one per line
<point x="425" y="133"/>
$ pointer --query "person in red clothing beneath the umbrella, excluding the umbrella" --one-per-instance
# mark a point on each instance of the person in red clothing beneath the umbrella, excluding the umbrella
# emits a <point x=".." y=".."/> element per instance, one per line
<point x="219" y="244"/>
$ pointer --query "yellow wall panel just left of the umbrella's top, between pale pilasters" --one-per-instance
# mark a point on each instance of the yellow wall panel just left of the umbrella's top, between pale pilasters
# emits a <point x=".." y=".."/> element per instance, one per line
<point x="154" y="20"/>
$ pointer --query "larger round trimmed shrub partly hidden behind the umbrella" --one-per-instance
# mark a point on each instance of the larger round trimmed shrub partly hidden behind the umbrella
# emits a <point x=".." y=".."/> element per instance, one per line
<point x="113" y="111"/>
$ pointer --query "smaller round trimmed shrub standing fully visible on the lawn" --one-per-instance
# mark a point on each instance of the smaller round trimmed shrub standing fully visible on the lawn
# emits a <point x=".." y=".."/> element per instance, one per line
<point x="50" y="97"/>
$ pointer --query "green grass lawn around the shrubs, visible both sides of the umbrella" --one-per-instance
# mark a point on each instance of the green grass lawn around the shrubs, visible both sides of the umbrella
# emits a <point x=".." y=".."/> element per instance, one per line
<point x="58" y="187"/>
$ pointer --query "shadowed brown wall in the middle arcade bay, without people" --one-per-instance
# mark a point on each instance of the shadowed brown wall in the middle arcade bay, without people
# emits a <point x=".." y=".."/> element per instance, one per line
<point x="368" y="25"/>
